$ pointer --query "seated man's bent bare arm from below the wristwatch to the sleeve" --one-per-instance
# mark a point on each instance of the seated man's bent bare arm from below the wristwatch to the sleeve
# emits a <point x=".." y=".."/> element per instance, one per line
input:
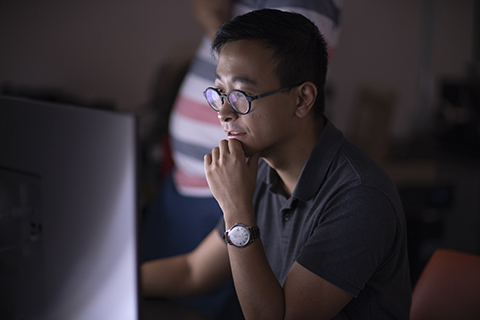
<point x="304" y="295"/>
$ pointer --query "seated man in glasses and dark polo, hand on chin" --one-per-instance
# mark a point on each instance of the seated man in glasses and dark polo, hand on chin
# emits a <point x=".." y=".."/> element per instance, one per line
<point x="315" y="229"/>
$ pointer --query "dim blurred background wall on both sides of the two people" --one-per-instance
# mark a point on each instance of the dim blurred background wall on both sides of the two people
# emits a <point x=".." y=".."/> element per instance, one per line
<point x="111" y="49"/>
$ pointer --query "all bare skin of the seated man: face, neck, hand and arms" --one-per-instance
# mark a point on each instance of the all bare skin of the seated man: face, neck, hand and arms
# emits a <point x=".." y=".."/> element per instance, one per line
<point x="281" y="130"/>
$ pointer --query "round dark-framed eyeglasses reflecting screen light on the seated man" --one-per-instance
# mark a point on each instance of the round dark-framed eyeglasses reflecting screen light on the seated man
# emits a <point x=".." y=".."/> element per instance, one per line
<point x="238" y="100"/>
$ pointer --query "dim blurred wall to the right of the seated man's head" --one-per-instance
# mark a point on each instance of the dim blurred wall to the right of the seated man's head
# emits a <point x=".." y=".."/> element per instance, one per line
<point x="399" y="45"/>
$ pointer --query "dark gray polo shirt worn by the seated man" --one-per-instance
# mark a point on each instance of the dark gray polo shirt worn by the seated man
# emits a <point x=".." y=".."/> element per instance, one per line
<point x="344" y="222"/>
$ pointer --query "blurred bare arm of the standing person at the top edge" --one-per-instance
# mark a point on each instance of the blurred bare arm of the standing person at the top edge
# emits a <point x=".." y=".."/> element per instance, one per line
<point x="211" y="14"/>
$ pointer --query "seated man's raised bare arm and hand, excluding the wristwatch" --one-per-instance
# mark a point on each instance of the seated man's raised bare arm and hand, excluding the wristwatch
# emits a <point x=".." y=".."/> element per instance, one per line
<point x="304" y="294"/>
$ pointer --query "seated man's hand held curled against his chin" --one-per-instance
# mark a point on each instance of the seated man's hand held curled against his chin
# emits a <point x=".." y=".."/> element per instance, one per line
<point x="232" y="180"/>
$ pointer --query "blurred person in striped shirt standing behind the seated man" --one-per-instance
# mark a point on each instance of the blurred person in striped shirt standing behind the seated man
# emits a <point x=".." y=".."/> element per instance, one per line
<point x="184" y="211"/>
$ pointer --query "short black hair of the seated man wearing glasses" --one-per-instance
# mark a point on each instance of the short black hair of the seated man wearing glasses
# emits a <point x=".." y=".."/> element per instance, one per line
<point x="297" y="45"/>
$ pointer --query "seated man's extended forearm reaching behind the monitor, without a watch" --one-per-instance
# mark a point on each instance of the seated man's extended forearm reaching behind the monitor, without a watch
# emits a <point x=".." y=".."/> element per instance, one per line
<point x="193" y="273"/>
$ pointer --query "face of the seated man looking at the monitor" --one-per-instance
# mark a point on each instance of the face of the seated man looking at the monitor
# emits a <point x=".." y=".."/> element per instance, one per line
<point x="248" y="66"/>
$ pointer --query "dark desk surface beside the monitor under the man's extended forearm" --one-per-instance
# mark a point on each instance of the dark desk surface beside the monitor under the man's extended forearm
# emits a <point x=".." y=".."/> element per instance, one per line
<point x="164" y="309"/>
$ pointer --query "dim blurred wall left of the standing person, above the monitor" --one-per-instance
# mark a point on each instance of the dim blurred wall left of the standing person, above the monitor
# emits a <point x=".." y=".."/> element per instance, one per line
<point x="107" y="49"/>
